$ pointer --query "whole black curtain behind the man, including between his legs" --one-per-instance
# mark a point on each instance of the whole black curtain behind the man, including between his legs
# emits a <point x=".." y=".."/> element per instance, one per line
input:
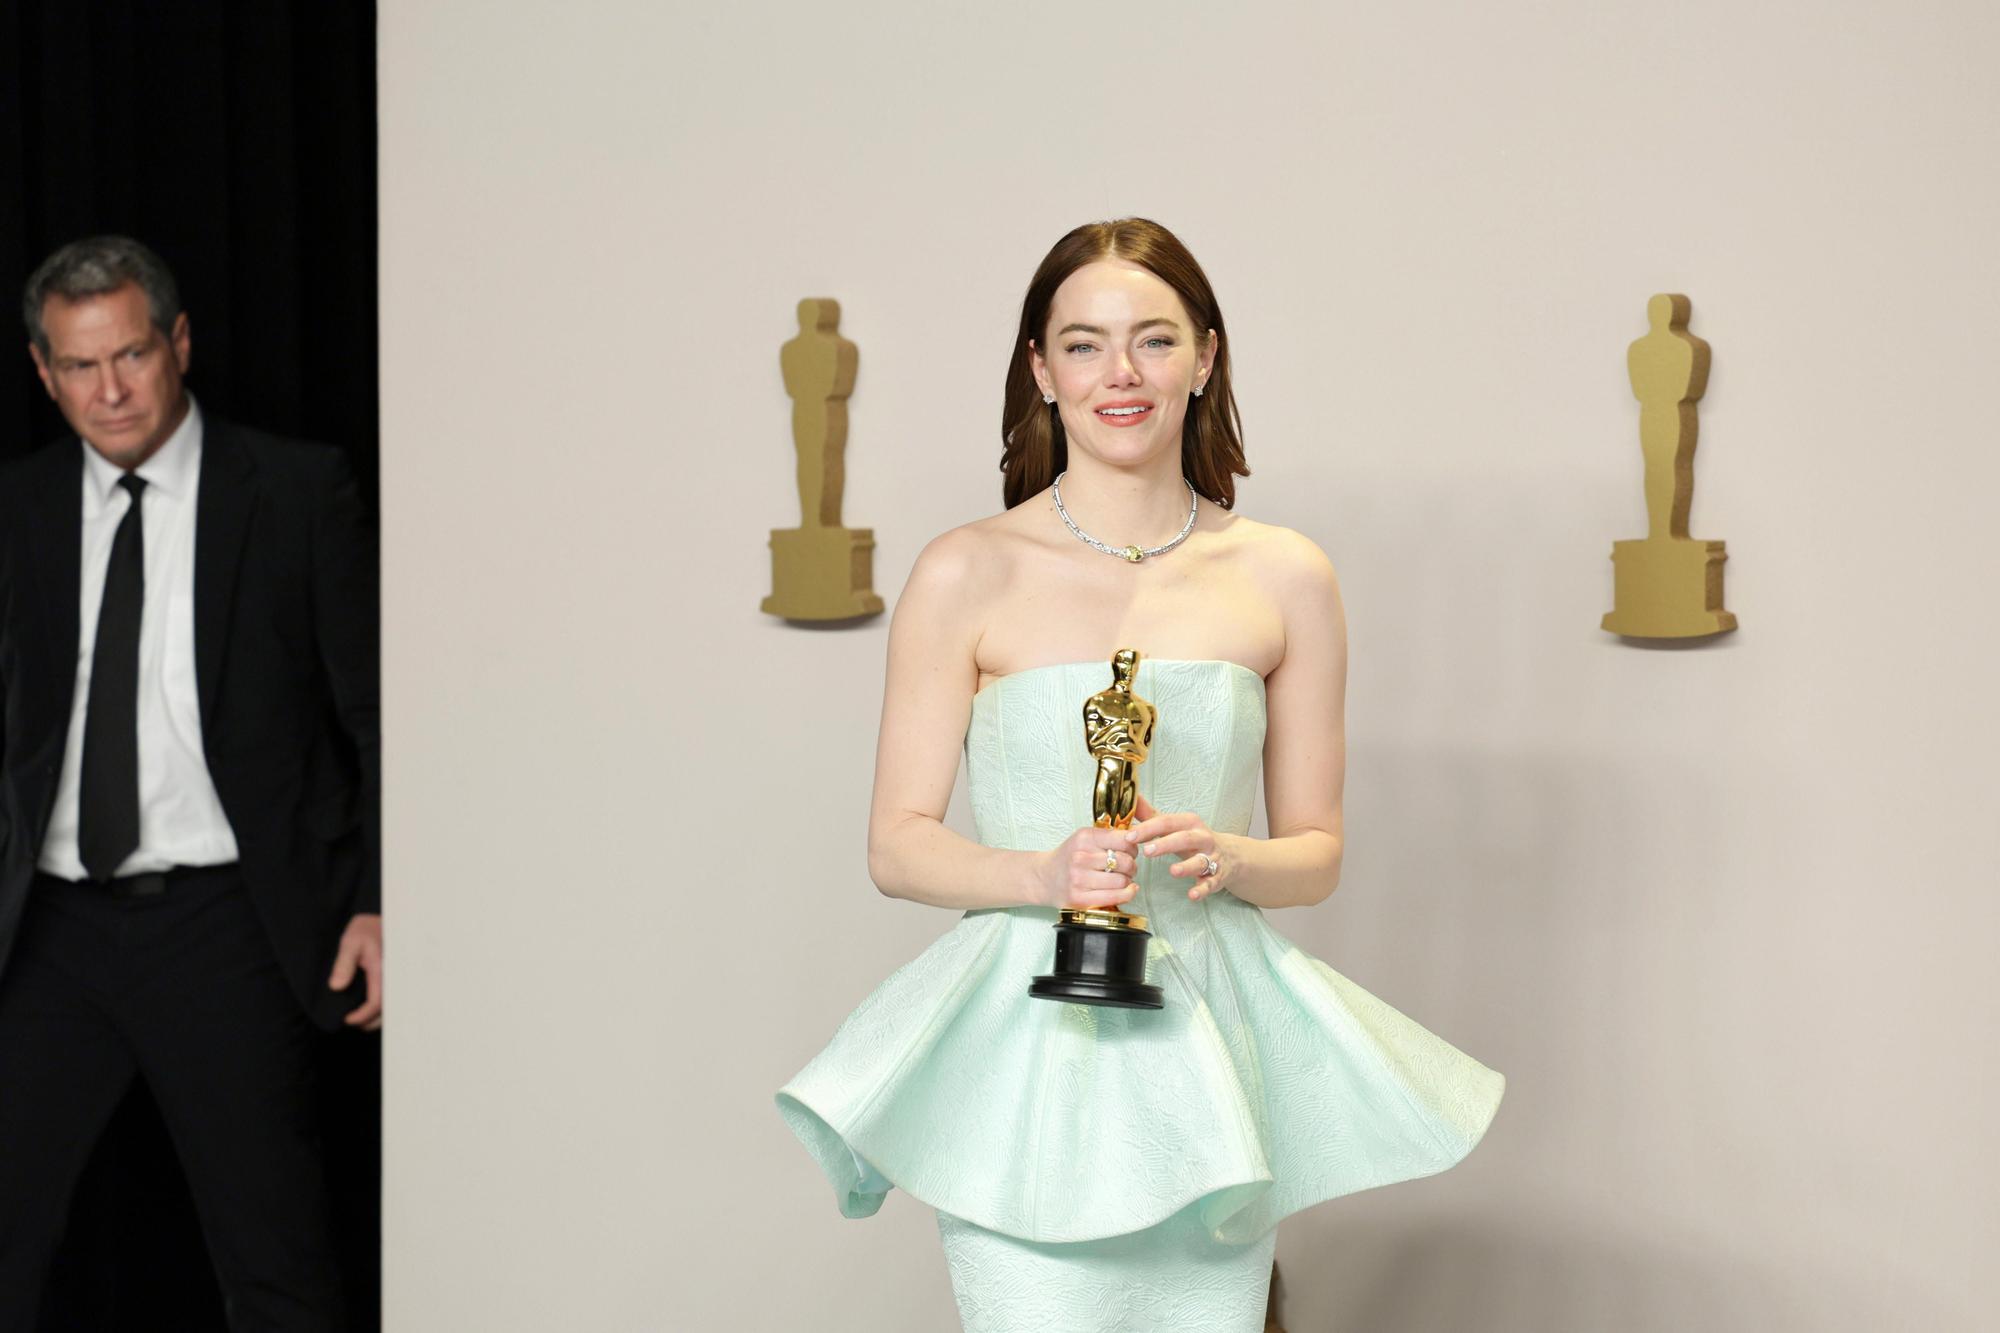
<point x="239" y="143"/>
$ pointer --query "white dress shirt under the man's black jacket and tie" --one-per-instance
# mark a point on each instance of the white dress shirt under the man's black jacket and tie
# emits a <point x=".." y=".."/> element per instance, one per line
<point x="181" y="816"/>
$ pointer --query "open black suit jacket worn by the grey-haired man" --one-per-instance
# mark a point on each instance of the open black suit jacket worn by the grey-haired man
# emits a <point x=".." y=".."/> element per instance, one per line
<point x="287" y="670"/>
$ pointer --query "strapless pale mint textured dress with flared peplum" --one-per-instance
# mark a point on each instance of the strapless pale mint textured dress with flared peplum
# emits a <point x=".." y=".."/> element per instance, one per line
<point x="1123" y="1170"/>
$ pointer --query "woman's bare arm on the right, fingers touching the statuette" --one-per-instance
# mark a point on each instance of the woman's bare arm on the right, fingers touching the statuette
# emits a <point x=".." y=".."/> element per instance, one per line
<point x="1305" y="748"/>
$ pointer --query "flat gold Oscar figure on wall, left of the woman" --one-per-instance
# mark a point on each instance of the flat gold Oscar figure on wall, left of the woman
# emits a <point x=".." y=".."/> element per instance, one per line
<point x="821" y="571"/>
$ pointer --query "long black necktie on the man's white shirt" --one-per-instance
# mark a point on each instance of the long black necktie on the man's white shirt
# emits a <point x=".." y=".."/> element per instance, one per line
<point x="107" y="818"/>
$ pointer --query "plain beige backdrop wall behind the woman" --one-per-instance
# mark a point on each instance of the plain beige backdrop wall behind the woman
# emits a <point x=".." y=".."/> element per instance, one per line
<point x="1723" y="916"/>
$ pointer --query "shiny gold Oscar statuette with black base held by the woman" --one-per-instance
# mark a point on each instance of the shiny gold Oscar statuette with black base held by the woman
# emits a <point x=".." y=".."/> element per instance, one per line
<point x="1101" y="954"/>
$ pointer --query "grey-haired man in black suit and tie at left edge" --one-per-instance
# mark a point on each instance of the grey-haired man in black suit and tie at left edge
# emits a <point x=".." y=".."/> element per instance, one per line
<point x="189" y="792"/>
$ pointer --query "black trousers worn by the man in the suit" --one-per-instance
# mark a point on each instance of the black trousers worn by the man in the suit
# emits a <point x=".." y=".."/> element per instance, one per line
<point x="185" y="992"/>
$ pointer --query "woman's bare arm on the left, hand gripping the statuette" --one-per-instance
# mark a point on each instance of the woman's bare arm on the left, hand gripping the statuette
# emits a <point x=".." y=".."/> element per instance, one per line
<point x="927" y="704"/>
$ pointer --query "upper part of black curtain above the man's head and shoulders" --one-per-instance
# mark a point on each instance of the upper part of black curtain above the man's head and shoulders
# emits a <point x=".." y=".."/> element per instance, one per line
<point x="239" y="143"/>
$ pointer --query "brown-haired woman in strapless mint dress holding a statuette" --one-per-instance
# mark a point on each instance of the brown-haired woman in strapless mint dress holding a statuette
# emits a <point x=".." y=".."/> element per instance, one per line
<point x="1101" y="1168"/>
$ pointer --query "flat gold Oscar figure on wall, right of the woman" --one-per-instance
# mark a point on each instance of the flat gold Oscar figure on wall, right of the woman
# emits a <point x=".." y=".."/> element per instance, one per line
<point x="1669" y="585"/>
